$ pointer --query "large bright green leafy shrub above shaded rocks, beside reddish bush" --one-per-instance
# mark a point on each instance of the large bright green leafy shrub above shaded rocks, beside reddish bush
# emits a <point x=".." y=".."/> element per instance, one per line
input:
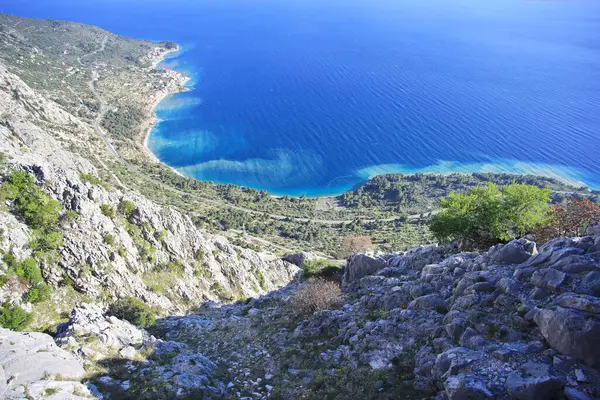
<point x="488" y="215"/>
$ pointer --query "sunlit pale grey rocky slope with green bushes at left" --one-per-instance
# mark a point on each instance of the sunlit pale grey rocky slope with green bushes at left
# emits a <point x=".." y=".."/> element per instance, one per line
<point x="112" y="243"/>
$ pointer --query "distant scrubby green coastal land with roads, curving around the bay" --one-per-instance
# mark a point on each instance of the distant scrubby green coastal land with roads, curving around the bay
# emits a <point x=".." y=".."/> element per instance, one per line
<point x="110" y="83"/>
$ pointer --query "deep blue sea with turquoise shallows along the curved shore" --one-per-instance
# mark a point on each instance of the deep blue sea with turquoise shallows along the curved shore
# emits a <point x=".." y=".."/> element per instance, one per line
<point x="313" y="97"/>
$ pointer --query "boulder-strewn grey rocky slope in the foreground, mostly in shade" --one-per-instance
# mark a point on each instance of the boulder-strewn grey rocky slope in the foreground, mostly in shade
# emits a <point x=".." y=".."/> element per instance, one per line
<point x="515" y="322"/>
